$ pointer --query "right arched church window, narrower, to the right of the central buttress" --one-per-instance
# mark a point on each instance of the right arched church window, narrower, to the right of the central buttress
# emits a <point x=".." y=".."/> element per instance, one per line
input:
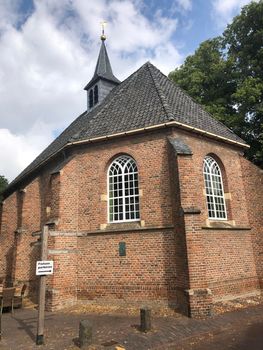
<point x="214" y="189"/>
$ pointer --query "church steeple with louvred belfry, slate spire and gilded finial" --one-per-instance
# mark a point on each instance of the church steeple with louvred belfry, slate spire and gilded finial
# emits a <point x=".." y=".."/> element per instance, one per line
<point x="103" y="80"/>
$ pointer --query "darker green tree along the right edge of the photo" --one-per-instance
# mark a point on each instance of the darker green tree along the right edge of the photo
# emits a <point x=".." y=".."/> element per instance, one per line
<point x="243" y="40"/>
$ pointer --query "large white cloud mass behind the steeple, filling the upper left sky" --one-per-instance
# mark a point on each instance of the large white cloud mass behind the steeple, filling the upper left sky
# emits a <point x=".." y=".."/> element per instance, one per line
<point x="48" y="54"/>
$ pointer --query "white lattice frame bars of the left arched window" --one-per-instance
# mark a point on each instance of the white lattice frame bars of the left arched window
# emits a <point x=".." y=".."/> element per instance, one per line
<point x="123" y="161"/>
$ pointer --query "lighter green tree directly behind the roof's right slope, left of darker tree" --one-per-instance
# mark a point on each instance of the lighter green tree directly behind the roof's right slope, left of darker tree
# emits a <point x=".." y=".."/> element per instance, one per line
<point x="207" y="77"/>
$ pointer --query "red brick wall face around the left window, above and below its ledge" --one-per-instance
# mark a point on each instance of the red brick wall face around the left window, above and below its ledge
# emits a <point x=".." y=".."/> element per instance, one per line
<point x="148" y="270"/>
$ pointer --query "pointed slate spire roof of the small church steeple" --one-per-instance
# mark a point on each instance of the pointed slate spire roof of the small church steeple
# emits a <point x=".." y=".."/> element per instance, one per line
<point x="103" y="68"/>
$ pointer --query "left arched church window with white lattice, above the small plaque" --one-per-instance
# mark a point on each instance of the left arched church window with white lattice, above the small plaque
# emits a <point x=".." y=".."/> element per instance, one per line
<point x="123" y="190"/>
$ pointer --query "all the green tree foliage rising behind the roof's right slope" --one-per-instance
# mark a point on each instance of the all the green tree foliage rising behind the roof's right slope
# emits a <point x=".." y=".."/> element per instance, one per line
<point x="225" y="75"/>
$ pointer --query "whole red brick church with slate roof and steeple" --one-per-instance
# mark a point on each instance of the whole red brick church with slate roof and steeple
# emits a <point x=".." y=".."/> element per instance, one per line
<point x="148" y="199"/>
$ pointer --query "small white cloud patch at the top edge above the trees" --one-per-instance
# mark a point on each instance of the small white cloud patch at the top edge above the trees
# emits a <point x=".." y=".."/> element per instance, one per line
<point x="224" y="10"/>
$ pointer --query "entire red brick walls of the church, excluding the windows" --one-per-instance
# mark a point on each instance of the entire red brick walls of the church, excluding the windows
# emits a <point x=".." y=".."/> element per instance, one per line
<point x="161" y="262"/>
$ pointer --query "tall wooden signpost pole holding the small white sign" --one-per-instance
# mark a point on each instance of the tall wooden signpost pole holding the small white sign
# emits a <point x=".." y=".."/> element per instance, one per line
<point x="42" y="290"/>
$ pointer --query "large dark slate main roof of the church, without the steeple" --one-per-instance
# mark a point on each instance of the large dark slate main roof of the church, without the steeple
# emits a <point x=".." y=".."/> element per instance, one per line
<point x="145" y="98"/>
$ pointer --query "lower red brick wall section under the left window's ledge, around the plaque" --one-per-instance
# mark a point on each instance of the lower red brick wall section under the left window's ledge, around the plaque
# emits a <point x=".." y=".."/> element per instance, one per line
<point x="146" y="273"/>
